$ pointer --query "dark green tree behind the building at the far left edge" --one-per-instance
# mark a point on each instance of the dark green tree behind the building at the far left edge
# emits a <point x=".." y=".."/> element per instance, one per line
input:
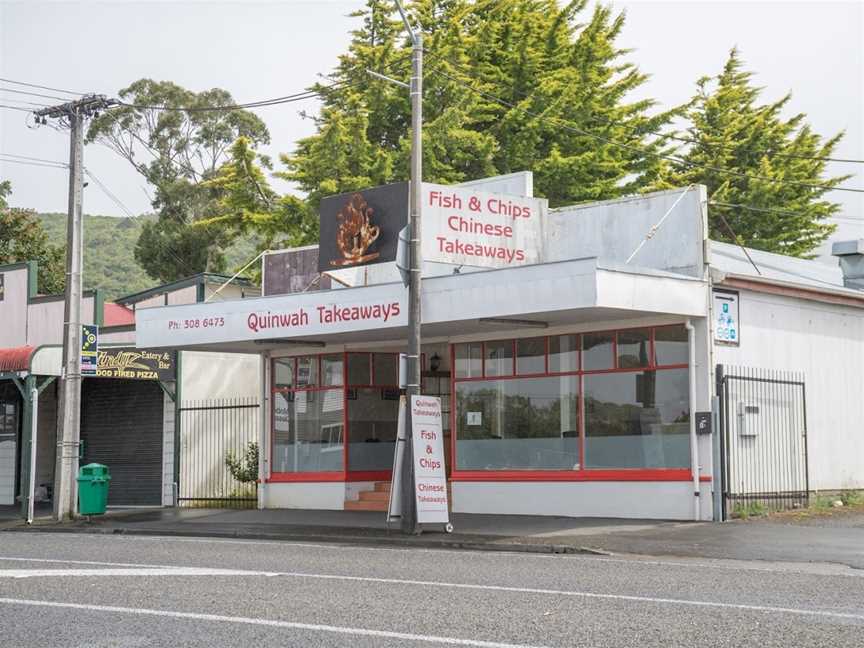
<point x="22" y="238"/>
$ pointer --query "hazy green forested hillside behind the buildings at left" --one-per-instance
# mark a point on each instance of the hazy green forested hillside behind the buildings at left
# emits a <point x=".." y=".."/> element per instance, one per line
<point x="109" y="246"/>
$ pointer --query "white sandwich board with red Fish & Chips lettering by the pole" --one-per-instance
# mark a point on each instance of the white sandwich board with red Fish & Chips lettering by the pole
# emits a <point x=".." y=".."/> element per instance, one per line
<point x="430" y="478"/>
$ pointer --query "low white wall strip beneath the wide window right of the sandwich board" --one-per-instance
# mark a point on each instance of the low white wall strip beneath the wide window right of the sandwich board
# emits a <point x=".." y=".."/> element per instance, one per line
<point x="646" y="500"/>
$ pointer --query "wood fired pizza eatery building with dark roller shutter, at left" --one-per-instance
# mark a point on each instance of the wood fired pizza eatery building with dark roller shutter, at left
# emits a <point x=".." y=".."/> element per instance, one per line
<point x="130" y="413"/>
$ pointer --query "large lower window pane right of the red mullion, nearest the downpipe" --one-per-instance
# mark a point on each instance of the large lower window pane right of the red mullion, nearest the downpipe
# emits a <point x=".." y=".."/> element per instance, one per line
<point x="637" y="419"/>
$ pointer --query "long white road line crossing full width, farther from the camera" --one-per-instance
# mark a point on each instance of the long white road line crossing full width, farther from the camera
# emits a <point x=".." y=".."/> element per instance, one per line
<point x="192" y="571"/>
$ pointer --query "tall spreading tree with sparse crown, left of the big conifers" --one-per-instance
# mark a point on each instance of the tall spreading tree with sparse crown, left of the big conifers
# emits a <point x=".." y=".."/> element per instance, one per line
<point x="177" y="152"/>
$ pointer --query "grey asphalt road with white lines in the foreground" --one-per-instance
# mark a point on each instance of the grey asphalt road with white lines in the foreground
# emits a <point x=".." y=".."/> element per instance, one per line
<point x="100" y="591"/>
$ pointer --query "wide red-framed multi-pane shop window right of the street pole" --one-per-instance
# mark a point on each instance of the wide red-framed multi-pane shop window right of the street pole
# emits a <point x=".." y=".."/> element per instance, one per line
<point x="538" y="404"/>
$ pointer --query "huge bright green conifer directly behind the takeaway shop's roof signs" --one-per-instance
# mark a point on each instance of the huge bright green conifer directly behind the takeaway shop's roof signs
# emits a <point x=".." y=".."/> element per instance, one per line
<point x="509" y="85"/>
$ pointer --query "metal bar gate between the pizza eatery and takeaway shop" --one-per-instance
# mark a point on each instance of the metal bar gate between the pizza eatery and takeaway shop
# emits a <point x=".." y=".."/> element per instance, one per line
<point x="214" y="434"/>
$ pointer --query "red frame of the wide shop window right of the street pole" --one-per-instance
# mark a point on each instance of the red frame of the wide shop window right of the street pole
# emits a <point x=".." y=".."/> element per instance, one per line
<point x="583" y="473"/>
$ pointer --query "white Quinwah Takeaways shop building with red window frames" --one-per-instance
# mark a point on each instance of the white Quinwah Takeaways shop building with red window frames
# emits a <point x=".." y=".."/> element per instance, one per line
<point x="579" y="380"/>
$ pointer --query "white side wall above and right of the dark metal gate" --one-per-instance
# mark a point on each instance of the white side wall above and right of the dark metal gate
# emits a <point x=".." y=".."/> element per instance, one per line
<point x="826" y="343"/>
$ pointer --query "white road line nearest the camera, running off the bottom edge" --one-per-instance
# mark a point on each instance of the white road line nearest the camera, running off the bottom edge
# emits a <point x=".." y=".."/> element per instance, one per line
<point x="314" y="627"/>
